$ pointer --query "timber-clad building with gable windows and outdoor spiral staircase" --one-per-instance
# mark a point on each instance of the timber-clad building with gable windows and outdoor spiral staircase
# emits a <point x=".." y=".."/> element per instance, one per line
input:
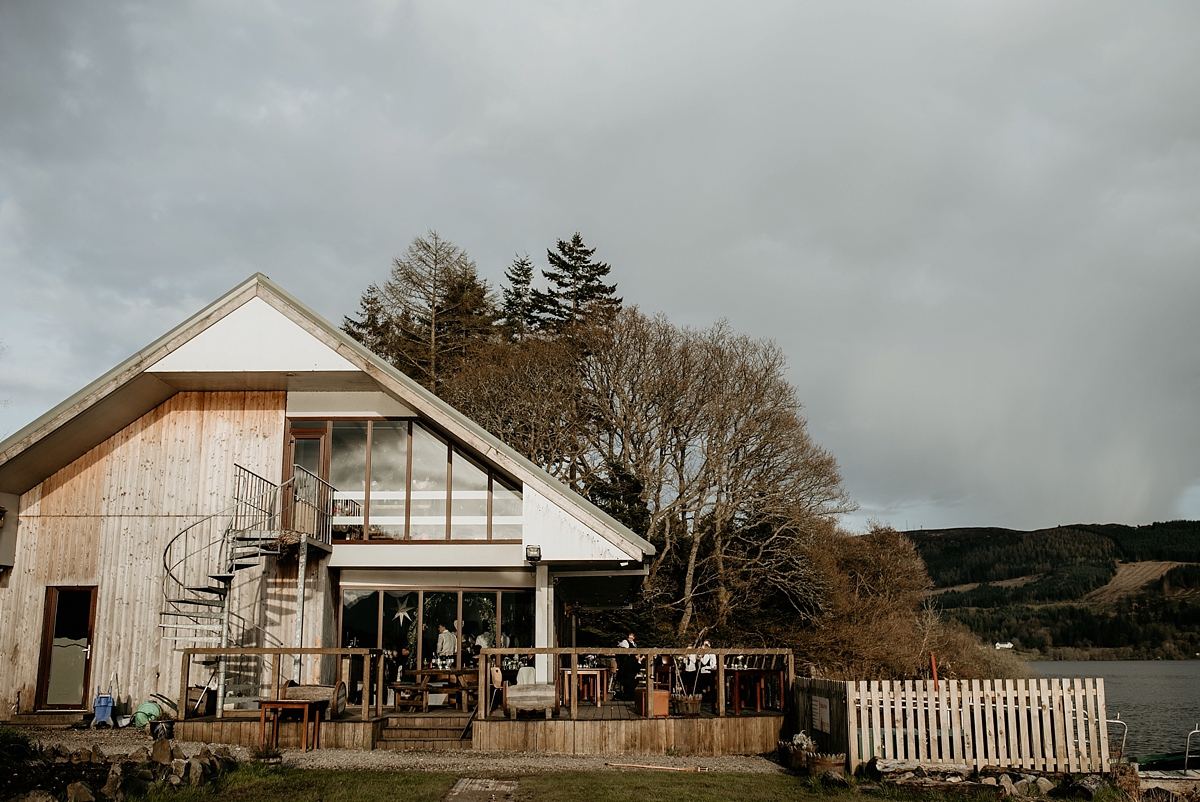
<point x="257" y="478"/>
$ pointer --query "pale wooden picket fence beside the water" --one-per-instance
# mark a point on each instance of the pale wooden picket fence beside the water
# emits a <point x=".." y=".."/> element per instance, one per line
<point x="1054" y="726"/>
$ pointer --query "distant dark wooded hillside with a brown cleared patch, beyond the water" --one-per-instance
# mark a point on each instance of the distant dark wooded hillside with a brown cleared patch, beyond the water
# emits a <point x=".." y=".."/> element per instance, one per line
<point x="1072" y="592"/>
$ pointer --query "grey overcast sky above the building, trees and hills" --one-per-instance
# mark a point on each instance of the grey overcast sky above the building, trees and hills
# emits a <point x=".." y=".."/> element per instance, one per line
<point x="974" y="228"/>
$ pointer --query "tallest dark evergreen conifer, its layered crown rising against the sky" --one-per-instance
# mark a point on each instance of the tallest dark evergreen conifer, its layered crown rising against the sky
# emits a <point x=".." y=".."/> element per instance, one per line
<point x="577" y="295"/>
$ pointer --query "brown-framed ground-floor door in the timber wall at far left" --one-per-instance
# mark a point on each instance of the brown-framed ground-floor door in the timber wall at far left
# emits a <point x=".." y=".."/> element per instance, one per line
<point x="65" y="669"/>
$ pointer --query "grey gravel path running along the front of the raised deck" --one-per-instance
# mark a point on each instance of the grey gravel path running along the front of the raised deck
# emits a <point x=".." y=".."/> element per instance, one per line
<point x="507" y="764"/>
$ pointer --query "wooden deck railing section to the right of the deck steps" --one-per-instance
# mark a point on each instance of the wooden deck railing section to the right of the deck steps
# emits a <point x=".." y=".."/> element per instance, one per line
<point x="567" y="662"/>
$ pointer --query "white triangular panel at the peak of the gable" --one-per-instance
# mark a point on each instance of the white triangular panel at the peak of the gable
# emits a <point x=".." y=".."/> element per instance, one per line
<point x="254" y="338"/>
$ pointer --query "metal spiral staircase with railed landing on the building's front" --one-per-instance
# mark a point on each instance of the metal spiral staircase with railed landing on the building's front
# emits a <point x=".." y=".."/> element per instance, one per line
<point x="205" y="560"/>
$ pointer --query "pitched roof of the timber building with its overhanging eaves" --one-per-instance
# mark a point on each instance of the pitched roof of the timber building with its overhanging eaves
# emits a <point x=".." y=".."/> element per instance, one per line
<point x="136" y="387"/>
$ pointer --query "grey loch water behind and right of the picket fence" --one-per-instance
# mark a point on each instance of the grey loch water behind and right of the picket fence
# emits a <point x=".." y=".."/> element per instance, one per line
<point x="1159" y="699"/>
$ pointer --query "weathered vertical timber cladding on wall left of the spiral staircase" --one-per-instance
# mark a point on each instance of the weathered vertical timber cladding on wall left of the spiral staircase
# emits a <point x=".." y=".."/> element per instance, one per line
<point x="105" y="520"/>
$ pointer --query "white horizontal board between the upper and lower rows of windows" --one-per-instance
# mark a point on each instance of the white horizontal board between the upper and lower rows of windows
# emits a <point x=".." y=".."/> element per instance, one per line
<point x="433" y="555"/>
